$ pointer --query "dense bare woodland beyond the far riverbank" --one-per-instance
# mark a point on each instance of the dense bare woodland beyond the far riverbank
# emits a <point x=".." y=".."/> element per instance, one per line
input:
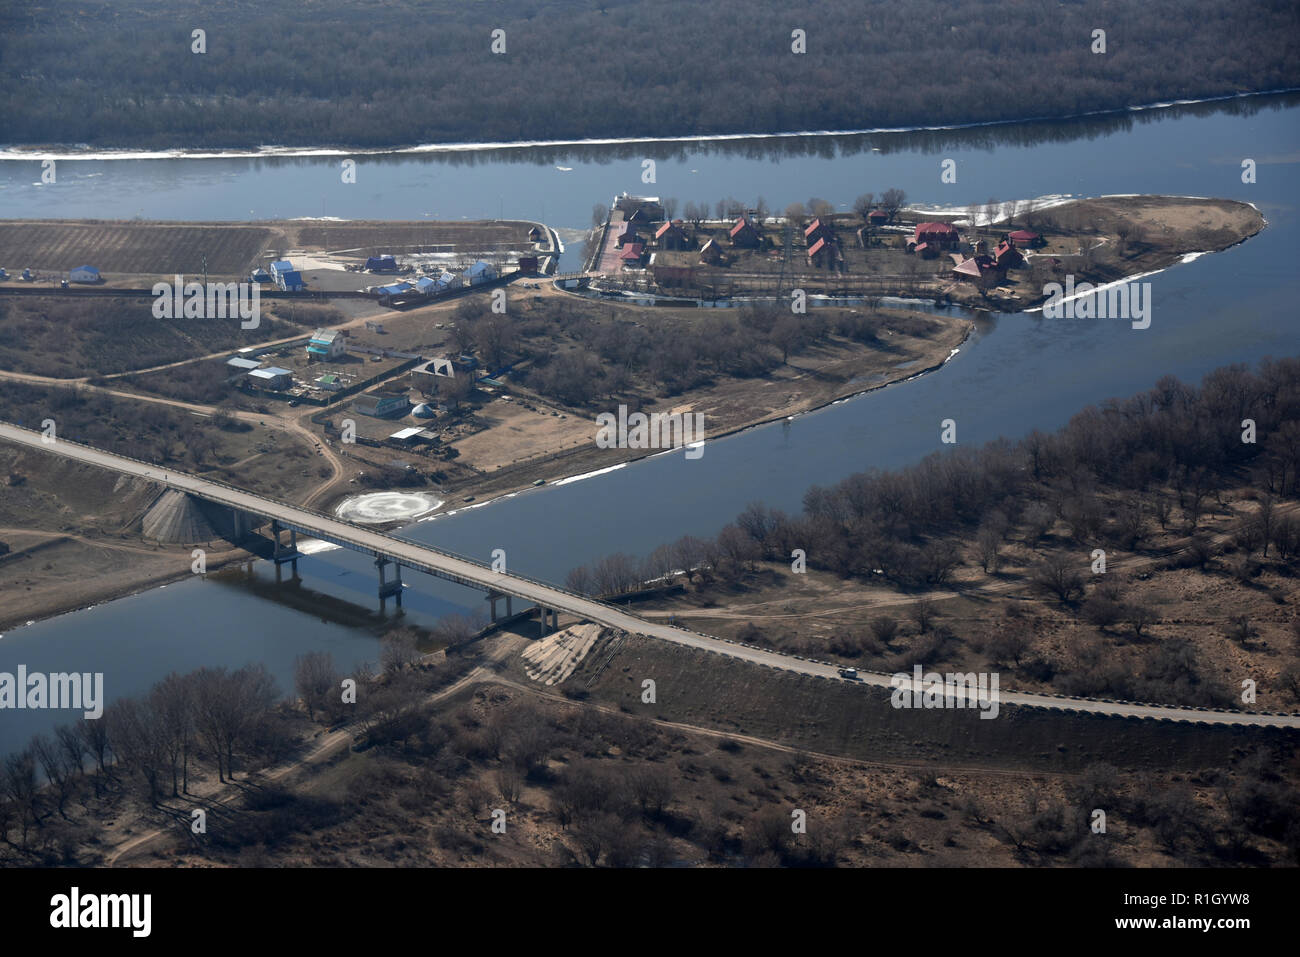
<point x="110" y="73"/>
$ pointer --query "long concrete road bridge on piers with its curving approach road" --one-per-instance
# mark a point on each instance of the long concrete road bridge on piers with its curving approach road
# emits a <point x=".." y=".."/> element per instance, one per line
<point x="551" y="600"/>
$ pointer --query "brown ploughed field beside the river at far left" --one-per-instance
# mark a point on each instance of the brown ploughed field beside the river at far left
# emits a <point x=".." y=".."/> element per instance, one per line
<point x="157" y="249"/>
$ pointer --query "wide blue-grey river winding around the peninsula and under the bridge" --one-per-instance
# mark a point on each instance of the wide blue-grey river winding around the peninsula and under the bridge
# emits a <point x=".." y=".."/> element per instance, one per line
<point x="1017" y="374"/>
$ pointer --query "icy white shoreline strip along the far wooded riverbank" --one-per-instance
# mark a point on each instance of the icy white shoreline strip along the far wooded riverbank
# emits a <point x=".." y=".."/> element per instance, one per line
<point x="21" y="153"/>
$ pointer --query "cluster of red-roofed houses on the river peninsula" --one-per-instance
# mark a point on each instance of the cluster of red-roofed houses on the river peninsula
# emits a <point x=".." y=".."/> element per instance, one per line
<point x="876" y="250"/>
